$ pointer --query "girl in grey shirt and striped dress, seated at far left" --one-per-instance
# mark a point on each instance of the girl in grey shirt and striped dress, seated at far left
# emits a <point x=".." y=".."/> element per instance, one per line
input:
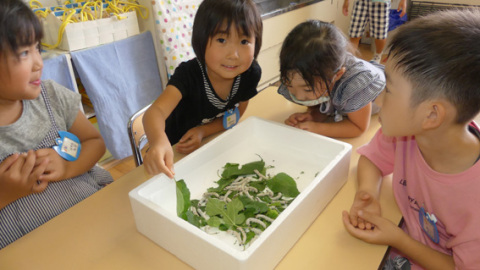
<point x="49" y="148"/>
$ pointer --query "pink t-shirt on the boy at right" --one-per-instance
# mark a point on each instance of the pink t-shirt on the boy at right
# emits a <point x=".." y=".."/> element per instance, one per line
<point x="452" y="199"/>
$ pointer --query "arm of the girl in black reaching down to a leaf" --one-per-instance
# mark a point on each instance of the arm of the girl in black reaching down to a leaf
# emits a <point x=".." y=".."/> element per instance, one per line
<point x="159" y="157"/>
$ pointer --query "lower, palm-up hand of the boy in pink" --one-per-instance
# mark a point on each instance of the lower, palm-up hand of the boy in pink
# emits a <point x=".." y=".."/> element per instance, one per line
<point x="384" y="231"/>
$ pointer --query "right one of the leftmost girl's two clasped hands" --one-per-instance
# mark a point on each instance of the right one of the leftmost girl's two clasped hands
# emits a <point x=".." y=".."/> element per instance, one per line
<point x="56" y="167"/>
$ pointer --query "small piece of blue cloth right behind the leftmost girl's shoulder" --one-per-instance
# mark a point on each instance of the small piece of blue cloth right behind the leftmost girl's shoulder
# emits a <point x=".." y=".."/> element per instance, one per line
<point x="56" y="69"/>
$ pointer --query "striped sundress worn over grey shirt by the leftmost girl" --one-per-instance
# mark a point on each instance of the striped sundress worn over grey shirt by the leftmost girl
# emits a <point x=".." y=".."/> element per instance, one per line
<point x="27" y="213"/>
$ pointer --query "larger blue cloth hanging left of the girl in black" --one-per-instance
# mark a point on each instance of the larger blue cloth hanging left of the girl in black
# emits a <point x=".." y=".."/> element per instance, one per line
<point x="120" y="78"/>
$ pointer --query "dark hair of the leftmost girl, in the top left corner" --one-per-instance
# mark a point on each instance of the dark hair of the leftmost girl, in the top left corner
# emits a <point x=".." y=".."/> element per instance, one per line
<point x="19" y="25"/>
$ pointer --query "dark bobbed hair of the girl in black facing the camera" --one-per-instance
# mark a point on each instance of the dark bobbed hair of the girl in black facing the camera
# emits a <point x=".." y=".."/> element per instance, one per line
<point x="210" y="16"/>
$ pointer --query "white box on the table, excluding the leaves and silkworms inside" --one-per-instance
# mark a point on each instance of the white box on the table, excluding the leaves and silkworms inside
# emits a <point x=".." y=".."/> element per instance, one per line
<point x="319" y="165"/>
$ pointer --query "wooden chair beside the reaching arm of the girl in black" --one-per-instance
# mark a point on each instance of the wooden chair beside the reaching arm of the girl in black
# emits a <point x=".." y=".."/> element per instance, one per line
<point x="136" y="133"/>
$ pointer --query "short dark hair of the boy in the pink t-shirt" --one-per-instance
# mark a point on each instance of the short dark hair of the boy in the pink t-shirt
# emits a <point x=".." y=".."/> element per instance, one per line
<point x="439" y="54"/>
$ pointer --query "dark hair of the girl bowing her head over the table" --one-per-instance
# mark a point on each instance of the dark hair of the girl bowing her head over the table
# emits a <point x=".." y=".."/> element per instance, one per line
<point x="314" y="49"/>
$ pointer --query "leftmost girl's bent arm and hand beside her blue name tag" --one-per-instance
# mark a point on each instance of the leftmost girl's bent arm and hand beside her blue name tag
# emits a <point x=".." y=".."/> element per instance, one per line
<point x="93" y="147"/>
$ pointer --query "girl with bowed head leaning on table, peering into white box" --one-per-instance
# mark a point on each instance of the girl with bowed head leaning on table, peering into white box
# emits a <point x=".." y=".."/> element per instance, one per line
<point x="318" y="70"/>
